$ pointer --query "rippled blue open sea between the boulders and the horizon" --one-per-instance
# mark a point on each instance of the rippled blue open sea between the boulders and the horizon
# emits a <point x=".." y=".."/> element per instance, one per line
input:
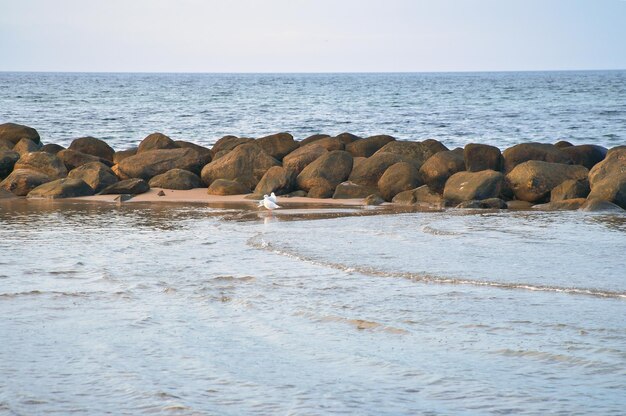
<point x="501" y="109"/>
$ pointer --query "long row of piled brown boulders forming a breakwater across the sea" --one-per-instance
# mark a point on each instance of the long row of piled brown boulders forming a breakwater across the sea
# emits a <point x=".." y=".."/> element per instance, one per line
<point x="377" y="169"/>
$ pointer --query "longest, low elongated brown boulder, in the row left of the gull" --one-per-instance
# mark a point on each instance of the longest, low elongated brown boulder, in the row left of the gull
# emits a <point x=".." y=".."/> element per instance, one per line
<point x="148" y="164"/>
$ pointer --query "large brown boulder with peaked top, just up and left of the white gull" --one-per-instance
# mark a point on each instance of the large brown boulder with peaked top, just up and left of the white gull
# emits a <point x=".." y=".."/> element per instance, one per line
<point x="247" y="164"/>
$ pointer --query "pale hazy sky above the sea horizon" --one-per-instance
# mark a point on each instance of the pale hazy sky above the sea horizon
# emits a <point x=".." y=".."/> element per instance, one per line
<point x="311" y="35"/>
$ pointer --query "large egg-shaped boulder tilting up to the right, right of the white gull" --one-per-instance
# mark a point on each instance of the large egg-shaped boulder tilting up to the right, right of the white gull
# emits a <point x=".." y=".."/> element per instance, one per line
<point x="327" y="171"/>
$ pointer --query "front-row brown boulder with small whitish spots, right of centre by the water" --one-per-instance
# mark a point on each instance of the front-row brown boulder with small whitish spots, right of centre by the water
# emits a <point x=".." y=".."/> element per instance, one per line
<point x="468" y="186"/>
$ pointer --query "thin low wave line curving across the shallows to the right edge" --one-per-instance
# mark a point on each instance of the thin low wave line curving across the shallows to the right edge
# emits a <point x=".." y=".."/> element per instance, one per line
<point x="258" y="243"/>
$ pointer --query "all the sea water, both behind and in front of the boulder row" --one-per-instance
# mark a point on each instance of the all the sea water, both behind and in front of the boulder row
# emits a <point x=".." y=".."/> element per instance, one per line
<point x="197" y="309"/>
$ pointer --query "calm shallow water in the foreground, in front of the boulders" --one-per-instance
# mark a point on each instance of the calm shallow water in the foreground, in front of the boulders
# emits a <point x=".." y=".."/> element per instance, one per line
<point x="164" y="309"/>
